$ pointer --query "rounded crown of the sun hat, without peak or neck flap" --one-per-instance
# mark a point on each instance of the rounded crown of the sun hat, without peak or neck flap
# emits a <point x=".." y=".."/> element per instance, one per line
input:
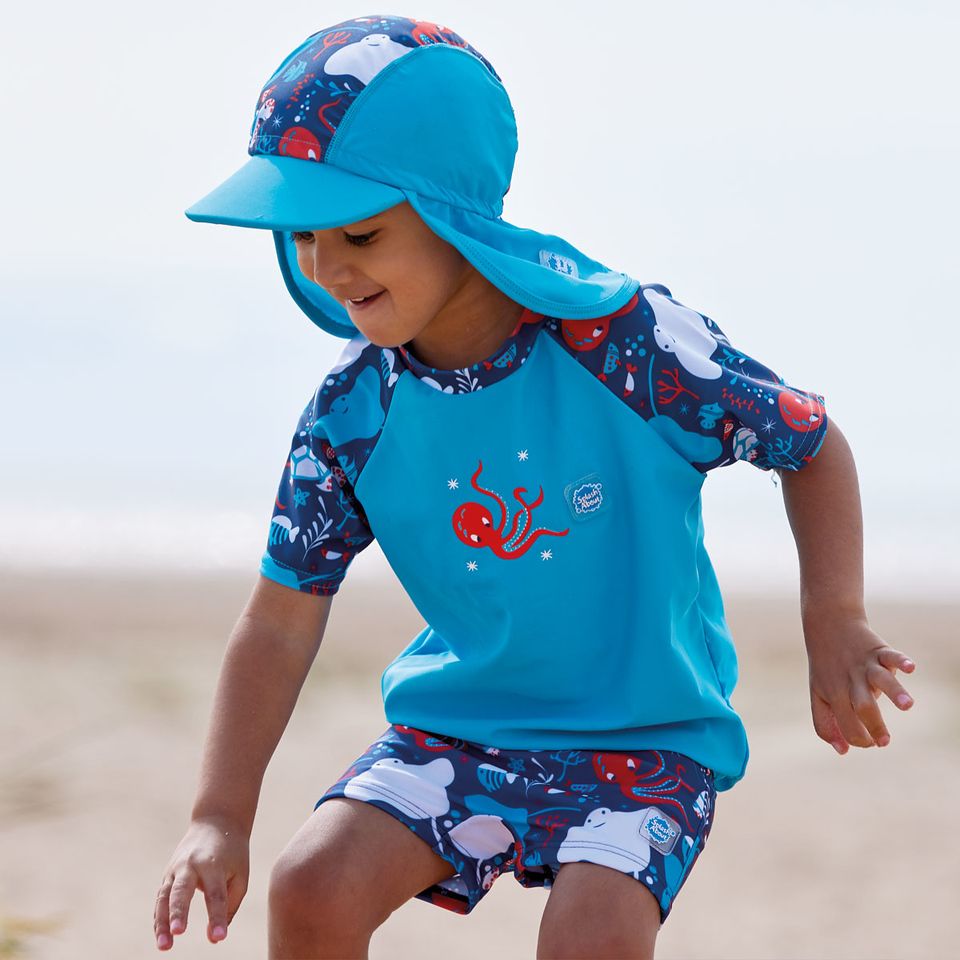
<point x="399" y="101"/>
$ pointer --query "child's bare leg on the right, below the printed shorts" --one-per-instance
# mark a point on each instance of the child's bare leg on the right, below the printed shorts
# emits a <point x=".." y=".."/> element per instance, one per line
<point x="598" y="913"/>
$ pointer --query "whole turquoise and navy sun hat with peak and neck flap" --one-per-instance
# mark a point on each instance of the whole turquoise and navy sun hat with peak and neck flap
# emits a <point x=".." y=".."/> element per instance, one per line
<point x="379" y="110"/>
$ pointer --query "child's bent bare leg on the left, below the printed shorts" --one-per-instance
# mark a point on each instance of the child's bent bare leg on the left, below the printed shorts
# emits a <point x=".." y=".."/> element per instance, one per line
<point x="341" y="875"/>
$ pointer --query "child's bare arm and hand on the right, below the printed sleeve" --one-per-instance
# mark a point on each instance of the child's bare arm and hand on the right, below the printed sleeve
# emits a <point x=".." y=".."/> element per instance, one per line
<point x="850" y="665"/>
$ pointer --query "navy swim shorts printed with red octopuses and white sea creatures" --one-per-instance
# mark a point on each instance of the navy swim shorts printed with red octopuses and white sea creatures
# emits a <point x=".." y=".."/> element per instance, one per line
<point x="485" y="810"/>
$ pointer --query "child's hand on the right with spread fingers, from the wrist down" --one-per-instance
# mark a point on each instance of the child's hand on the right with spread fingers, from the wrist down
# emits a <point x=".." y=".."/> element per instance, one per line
<point x="850" y="666"/>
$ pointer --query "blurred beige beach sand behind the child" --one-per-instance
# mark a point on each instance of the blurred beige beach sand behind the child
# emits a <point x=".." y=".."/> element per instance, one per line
<point x="106" y="688"/>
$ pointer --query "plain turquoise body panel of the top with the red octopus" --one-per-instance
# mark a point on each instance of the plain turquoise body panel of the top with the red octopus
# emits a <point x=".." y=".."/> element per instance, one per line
<point x="600" y="627"/>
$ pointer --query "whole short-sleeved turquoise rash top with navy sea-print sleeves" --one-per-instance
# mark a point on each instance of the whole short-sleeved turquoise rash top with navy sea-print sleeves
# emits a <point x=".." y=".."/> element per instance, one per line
<point x="542" y="510"/>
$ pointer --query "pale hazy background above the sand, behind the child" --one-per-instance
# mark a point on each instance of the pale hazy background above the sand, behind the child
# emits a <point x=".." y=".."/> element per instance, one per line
<point x="787" y="169"/>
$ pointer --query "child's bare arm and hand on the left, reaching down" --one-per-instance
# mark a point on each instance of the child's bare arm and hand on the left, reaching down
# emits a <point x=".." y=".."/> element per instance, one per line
<point x="267" y="659"/>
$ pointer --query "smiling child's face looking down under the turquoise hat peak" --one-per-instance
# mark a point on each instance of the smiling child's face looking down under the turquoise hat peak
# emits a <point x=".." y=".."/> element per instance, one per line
<point x="395" y="257"/>
